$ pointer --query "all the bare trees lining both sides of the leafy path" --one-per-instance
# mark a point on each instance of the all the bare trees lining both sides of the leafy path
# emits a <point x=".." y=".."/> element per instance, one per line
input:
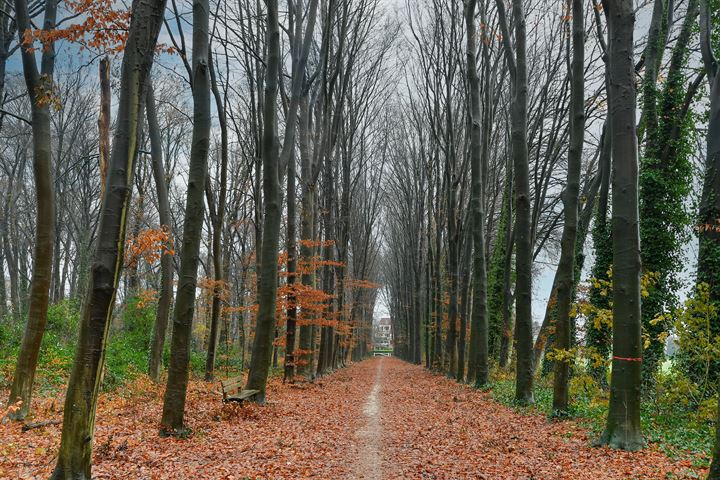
<point x="449" y="153"/>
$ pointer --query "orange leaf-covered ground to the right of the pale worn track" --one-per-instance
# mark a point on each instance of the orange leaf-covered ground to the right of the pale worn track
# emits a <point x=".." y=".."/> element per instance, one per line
<point x="432" y="427"/>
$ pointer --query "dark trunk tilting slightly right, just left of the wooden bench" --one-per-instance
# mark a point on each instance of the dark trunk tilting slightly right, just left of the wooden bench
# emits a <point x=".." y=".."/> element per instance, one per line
<point x="172" y="421"/>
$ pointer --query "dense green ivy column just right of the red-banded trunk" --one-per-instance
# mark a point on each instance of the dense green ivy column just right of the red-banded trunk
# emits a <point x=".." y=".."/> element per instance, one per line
<point x="665" y="183"/>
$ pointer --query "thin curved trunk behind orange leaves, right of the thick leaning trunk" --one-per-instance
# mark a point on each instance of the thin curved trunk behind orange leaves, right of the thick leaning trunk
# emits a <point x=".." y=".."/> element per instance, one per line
<point x="166" y="268"/>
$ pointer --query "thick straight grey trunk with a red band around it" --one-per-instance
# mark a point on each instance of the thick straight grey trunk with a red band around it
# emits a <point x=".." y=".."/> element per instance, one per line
<point x="623" y="421"/>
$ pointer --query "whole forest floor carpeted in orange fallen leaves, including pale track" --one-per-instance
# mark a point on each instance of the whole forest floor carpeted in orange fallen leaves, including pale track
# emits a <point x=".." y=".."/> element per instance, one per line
<point x="378" y="419"/>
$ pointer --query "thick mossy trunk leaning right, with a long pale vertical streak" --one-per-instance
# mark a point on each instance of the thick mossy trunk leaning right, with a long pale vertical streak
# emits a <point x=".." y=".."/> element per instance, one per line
<point x="74" y="458"/>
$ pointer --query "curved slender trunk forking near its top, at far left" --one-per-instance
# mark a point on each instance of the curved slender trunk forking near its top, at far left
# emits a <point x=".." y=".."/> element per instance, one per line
<point x="37" y="82"/>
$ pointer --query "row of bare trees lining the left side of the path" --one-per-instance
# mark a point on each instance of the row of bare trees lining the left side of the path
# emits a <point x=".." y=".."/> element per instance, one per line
<point x="283" y="110"/>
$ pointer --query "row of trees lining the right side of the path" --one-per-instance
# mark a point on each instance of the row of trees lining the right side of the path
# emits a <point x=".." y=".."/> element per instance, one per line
<point x="502" y="175"/>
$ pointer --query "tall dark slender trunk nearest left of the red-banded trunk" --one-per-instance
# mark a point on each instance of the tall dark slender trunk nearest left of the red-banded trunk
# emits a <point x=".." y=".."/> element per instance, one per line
<point x="566" y="267"/>
